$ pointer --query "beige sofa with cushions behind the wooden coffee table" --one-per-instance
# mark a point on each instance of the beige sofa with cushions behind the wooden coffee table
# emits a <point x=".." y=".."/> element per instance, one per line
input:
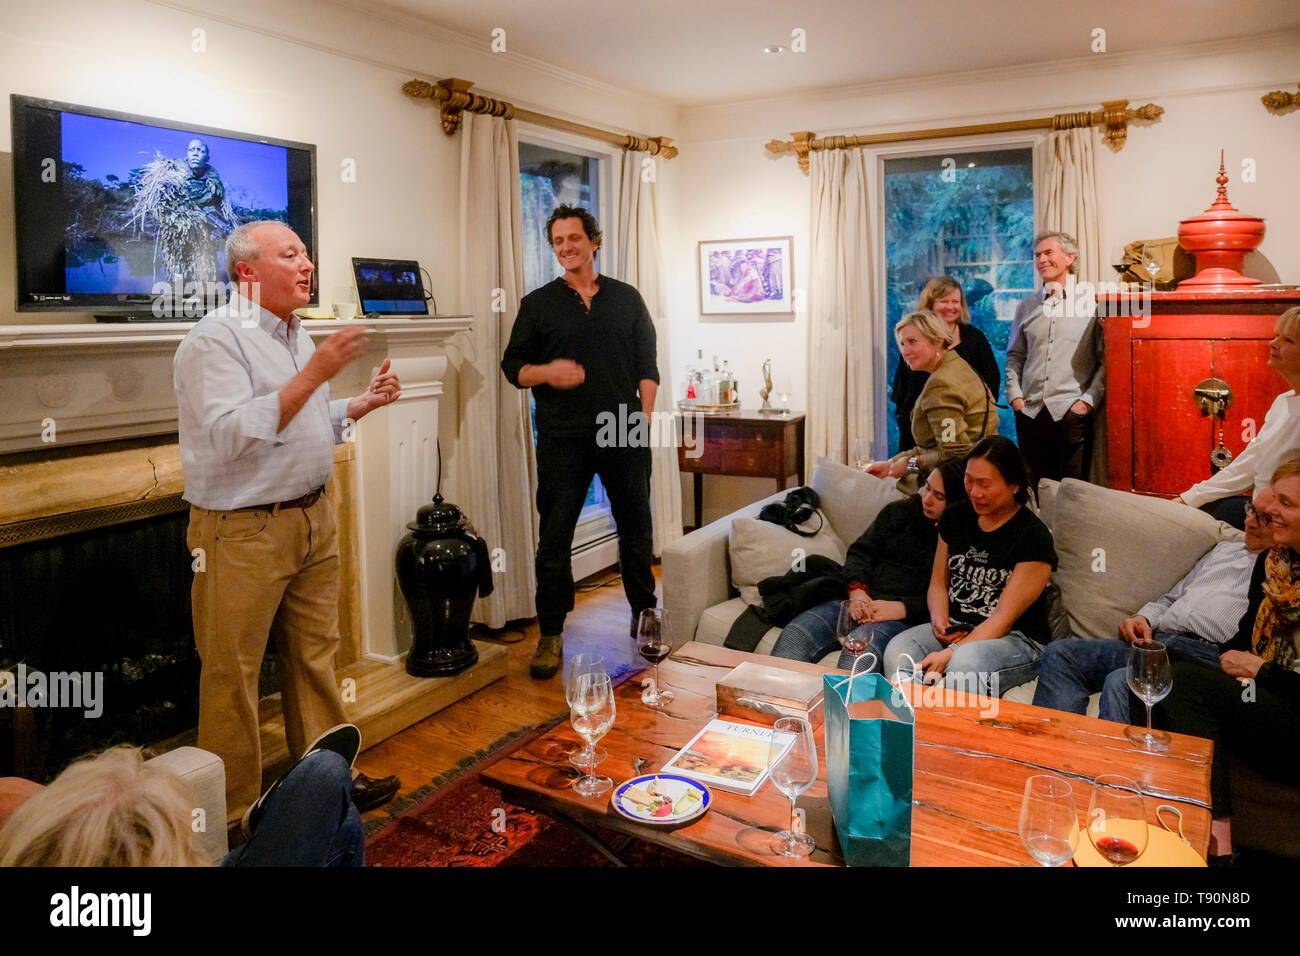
<point x="1117" y="552"/>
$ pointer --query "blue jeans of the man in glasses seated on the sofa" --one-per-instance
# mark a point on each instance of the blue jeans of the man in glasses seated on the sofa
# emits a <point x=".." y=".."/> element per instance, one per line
<point x="1078" y="668"/>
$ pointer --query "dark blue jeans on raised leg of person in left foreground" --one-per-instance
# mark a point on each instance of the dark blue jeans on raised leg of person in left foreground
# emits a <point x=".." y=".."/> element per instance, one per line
<point x="309" y="821"/>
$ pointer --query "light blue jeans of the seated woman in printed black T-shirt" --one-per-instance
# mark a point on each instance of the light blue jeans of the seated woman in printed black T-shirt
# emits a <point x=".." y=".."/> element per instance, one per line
<point x="987" y="668"/>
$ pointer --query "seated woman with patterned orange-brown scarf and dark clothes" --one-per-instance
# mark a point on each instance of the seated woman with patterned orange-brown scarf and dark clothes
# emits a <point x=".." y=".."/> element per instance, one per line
<point x="1250" y="706"/>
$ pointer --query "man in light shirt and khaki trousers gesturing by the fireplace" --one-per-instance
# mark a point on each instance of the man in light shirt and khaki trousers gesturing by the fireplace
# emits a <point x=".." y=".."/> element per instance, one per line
<point x="258" y="434"/>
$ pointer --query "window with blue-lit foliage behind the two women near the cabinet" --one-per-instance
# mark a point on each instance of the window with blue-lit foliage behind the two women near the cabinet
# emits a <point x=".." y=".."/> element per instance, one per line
<point x="972" y="220"/>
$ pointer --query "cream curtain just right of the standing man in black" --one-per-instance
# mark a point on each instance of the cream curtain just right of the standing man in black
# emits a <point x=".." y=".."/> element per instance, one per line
<point x="639" y="263"/>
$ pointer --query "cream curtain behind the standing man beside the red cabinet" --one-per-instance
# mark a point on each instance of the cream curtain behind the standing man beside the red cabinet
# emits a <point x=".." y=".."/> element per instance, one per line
<point x="1065" y="174"/>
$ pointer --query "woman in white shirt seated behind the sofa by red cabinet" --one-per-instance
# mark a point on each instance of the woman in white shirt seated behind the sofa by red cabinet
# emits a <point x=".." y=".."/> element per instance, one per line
<point x="1277" y="442"/>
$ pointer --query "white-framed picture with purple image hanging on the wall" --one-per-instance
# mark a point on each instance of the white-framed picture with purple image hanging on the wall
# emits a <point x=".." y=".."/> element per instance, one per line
<point x="746" y="276"/>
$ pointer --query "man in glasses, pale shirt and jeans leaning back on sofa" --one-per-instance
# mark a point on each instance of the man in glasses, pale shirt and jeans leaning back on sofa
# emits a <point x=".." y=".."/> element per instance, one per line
<point x="1195" y="621"/>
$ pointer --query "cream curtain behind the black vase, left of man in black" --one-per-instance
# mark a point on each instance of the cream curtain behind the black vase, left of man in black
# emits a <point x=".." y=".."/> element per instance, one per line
<point x="496" y="462"/>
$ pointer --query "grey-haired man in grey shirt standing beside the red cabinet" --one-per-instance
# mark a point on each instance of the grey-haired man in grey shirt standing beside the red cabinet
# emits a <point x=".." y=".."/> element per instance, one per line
<point x="1055" y="370"/>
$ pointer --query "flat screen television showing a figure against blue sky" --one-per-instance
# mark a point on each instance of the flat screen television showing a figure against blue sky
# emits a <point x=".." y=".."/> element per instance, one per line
<point x="127" y="217"/>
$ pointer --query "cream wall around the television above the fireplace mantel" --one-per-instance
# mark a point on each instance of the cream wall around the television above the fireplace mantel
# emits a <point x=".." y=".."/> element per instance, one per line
<point x="320" y="73"/>
